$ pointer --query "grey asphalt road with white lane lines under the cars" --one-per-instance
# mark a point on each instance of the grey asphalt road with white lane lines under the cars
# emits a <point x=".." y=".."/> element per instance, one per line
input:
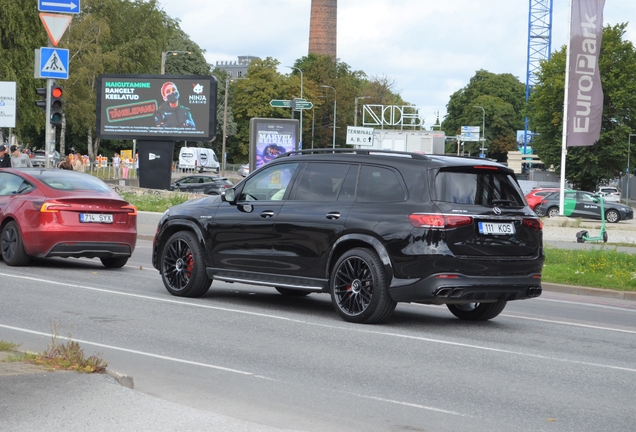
<point x="559" y="362"/>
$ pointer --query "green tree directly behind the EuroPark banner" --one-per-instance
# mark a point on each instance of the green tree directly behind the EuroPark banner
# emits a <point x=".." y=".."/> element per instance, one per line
<point x="587" y="166"/>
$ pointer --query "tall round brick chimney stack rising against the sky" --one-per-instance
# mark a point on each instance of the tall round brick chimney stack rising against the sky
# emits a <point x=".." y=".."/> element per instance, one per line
<point x="323" y="27"/>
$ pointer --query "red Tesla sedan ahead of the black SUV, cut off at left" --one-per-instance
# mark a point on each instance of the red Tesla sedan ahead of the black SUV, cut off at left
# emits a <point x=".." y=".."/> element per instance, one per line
<point x="60" y="213"/>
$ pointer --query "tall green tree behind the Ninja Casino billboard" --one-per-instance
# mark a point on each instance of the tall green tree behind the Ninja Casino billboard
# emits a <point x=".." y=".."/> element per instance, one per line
<point x="119" y="36"/>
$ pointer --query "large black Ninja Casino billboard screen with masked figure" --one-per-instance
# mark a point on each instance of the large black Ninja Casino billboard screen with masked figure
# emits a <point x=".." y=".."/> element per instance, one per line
<point x="156" y="107"/>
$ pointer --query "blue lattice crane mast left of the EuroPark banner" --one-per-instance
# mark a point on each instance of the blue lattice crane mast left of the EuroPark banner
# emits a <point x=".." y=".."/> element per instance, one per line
<point x="539" y="43"/>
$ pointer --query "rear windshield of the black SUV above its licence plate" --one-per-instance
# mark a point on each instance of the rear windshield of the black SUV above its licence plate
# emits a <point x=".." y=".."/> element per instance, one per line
<point x="484" y="188"/>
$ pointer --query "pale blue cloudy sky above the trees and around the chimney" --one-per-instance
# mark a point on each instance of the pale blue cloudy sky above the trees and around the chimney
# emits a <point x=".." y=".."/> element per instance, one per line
<point x="430" y="48"/>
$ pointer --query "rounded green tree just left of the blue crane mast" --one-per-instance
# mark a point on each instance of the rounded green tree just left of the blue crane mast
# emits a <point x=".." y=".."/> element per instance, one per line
<point x="503" y="98"/>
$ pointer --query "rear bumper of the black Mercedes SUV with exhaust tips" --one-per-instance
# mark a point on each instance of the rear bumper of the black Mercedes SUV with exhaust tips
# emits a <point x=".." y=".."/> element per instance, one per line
<point x="453" y="288"/>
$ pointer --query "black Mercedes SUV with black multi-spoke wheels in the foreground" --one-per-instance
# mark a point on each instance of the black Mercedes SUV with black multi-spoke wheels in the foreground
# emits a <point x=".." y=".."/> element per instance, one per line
<point x="371" y="228"/>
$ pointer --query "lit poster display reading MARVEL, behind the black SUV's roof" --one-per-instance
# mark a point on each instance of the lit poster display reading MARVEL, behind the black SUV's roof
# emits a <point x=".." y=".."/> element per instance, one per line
<point x="270" y="138"/>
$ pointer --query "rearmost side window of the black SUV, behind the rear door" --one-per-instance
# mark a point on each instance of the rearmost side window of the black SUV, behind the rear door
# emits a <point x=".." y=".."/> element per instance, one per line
<point x="379" y="184"/>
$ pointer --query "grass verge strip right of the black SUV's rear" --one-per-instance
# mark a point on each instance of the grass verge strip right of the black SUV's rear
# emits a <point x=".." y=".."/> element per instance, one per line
<point x="600" y="268"/>
